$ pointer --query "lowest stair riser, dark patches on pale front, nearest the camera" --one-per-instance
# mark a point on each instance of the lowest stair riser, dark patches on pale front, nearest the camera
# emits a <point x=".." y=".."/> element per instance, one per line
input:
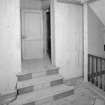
<point x="52" y="99"/>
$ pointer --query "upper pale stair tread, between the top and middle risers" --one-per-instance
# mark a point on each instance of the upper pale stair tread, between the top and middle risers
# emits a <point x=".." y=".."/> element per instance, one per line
<point x="39" y="80"/>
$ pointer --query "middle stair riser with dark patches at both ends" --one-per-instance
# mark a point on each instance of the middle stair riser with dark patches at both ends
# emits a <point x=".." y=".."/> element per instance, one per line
<point x="40" y="86"/>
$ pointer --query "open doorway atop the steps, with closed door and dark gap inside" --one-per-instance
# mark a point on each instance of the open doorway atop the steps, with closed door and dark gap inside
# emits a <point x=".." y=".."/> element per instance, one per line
<point x="33" y="39"/>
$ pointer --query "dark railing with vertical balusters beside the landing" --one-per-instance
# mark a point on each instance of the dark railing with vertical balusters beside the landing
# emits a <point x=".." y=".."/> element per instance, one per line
<point x="96" y="71"/>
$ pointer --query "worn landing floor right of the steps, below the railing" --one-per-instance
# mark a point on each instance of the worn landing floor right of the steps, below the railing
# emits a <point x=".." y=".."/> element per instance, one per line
<point x="82" y="96"/>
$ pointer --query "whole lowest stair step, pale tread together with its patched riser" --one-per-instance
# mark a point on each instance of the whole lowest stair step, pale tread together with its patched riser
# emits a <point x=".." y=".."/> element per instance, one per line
<point x="44" y="96"/>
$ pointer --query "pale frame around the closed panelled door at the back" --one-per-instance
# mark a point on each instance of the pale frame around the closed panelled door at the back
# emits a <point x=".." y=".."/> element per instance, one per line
<point x="22" y="19"/>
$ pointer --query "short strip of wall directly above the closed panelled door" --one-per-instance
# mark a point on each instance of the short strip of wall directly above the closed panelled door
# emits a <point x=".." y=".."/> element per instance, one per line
<point x="31" y="4"/>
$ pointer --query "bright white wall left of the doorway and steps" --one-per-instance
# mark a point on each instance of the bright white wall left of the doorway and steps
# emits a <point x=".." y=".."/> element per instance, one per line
<point x="9" y="44"/>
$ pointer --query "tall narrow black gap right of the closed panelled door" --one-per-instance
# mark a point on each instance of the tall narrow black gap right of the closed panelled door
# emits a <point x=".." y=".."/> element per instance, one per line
<point x="48" y="34"/>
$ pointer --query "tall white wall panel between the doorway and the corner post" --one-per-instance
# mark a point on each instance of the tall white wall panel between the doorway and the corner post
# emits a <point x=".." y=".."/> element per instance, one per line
<point x="68" y="39"/>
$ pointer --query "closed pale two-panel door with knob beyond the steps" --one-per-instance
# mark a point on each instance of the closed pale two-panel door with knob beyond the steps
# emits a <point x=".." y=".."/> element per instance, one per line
<point x="32" y="38"/>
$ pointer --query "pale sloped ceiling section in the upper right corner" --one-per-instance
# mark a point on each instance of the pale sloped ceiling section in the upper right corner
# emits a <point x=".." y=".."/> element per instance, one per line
<point x="99" y="8"/>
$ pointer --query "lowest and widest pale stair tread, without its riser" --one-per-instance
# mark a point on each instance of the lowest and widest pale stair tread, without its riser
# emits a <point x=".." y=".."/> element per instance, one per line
<point x="41" y="94"/>
